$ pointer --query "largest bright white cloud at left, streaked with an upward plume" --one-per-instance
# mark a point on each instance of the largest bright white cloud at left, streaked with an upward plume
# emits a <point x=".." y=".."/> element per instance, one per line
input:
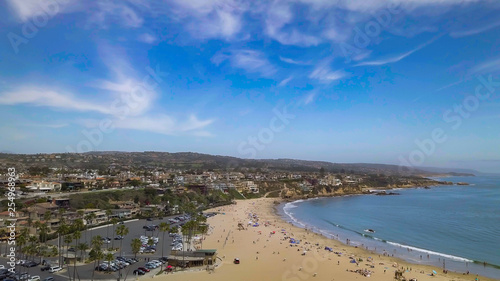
<point x="126" y="100"/>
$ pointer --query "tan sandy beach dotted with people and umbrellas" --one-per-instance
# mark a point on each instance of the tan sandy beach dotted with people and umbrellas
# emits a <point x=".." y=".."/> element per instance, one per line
<point x="267" y="256"/>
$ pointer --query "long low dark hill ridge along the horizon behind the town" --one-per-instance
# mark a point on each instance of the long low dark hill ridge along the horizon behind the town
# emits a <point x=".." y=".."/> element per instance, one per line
<point x="189" y="160"/>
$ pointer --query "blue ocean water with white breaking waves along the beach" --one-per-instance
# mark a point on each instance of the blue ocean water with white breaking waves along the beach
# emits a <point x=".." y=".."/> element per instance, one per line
<point x="457" y="226"/>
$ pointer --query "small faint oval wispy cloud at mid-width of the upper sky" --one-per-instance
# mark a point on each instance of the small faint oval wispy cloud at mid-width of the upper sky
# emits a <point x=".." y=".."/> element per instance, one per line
<point x="250" y="60"/>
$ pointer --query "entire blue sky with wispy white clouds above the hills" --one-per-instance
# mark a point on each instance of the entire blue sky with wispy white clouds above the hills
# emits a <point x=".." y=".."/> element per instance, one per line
<point x="341" y="81"/>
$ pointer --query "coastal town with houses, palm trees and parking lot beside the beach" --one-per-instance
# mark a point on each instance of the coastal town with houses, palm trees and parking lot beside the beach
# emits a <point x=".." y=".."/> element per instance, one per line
<point x="86" y="224"/>
